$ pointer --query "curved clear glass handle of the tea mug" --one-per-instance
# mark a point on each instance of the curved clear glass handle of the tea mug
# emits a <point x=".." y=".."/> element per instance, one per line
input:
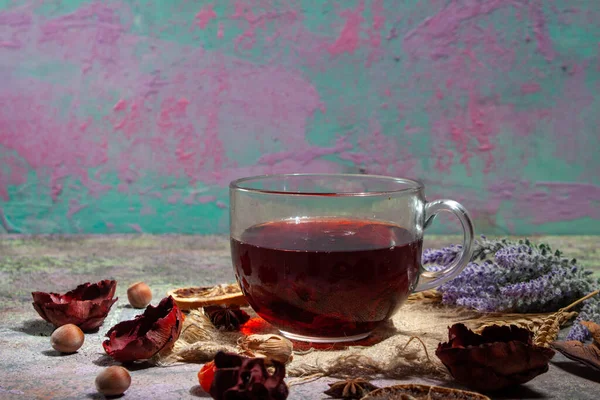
<point x="432" y="279"/>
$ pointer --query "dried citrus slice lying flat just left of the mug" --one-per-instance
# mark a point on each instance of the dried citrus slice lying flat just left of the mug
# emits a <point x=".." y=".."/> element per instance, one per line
<point x="189" y="298"/>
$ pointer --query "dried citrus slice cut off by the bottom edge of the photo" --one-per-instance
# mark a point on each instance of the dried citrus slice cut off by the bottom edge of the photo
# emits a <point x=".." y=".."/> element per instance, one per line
<point x="422" y="392"/>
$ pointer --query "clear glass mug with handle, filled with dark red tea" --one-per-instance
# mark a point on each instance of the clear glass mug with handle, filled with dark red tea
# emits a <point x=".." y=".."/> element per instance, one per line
<point x="329" y="257"/>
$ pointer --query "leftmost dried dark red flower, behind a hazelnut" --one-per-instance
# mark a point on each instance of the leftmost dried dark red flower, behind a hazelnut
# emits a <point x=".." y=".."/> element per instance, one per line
<point x="85" y="306"/>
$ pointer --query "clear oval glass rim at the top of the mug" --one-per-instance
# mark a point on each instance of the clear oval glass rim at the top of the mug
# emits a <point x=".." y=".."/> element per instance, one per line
<point x="410" y="185"/>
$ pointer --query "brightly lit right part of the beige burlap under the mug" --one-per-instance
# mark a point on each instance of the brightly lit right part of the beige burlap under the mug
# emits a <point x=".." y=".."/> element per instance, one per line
<point x="394" y="354"/>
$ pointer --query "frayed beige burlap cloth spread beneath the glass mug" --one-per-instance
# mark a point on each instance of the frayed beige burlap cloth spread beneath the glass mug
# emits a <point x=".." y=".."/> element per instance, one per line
<point x="403" y="347"/>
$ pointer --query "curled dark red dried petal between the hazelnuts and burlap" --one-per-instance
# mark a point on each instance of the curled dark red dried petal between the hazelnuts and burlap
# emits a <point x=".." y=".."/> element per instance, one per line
<point x="142" y="337"/>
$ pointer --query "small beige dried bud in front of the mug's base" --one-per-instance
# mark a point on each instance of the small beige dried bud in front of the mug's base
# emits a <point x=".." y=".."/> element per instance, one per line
<point x="270" y="347"/>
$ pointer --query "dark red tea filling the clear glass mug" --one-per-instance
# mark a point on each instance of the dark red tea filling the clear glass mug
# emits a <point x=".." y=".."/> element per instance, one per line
<point x="326" y="277"/>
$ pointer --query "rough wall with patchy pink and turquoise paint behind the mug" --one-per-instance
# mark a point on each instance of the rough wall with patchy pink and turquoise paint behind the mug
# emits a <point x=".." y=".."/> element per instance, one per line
<point x="124" y="116"/>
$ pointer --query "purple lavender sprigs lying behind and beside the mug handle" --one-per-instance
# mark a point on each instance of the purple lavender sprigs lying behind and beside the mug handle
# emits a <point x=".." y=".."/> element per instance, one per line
<point x="508" y="276"/>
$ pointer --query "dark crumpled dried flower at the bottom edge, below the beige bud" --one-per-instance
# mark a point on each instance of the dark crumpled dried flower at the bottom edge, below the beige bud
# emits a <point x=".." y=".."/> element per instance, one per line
<point x="243" y="378"/>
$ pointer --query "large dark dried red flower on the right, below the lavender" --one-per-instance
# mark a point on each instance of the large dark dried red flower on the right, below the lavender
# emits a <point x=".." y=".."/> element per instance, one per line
<point x="500" y="357"/>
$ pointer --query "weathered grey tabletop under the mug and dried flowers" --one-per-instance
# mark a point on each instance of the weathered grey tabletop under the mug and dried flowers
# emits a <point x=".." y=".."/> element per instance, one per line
<point x="31" y="369"/>
